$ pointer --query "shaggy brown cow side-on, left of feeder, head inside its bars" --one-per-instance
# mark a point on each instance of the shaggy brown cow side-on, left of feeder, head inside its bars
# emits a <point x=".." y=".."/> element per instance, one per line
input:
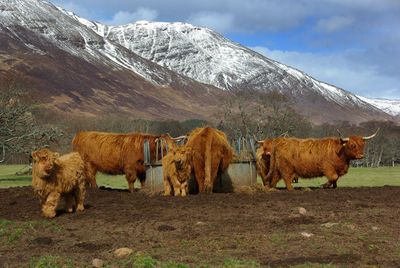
<point x="114" y="153"/>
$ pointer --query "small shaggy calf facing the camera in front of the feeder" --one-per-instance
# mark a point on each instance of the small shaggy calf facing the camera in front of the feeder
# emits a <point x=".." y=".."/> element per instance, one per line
<point x="176" y="170"/>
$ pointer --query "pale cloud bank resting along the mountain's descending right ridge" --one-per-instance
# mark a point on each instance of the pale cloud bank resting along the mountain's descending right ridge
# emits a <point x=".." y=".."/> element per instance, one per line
<point x="341" y="70"/>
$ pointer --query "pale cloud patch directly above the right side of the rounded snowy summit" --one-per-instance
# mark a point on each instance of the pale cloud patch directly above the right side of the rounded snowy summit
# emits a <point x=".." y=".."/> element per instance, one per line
<point x="219" y="22"/>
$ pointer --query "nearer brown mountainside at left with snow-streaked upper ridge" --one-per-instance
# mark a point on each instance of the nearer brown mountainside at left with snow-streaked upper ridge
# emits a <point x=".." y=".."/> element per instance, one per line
<point x="74" y="69"/>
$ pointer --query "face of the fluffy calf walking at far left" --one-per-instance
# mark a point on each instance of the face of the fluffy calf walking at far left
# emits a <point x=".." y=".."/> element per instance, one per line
<point x="43" y="162"/>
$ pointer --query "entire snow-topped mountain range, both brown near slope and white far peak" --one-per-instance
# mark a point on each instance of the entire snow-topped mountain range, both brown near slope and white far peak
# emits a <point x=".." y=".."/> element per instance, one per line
<point x="152" y="69"/>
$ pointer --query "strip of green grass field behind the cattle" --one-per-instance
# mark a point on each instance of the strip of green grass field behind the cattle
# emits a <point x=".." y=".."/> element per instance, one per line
<point x="356" y="177"/>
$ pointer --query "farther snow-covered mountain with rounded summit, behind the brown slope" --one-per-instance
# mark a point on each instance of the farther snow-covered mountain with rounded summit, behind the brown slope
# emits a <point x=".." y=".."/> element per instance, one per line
<point x="210" y="58"/>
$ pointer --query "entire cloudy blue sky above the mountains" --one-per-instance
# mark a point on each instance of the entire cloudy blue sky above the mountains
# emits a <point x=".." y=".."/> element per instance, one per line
<point x="352" y="44"/>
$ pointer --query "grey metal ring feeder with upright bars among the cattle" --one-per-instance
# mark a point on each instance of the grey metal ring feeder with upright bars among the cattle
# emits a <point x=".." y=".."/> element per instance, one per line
<point x="241" y="172"/>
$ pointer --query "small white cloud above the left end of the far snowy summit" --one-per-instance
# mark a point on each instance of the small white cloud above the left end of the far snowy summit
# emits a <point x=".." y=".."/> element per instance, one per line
<point x="124" y="17"/>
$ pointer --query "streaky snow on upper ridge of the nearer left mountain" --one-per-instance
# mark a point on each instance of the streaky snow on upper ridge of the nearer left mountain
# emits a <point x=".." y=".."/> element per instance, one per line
<point x="67" y="33"/>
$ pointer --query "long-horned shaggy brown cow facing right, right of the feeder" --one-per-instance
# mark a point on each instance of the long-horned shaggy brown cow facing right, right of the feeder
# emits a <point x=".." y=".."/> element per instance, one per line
<point x="308" y="158"/>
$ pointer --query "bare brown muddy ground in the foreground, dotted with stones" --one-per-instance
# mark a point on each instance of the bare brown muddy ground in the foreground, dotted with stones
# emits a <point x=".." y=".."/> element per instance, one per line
<point x="351" y="227"/>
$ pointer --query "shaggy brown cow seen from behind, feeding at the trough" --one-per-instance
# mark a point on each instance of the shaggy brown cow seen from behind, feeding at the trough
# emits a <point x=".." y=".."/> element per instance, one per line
<point x="211" y="156"/>
